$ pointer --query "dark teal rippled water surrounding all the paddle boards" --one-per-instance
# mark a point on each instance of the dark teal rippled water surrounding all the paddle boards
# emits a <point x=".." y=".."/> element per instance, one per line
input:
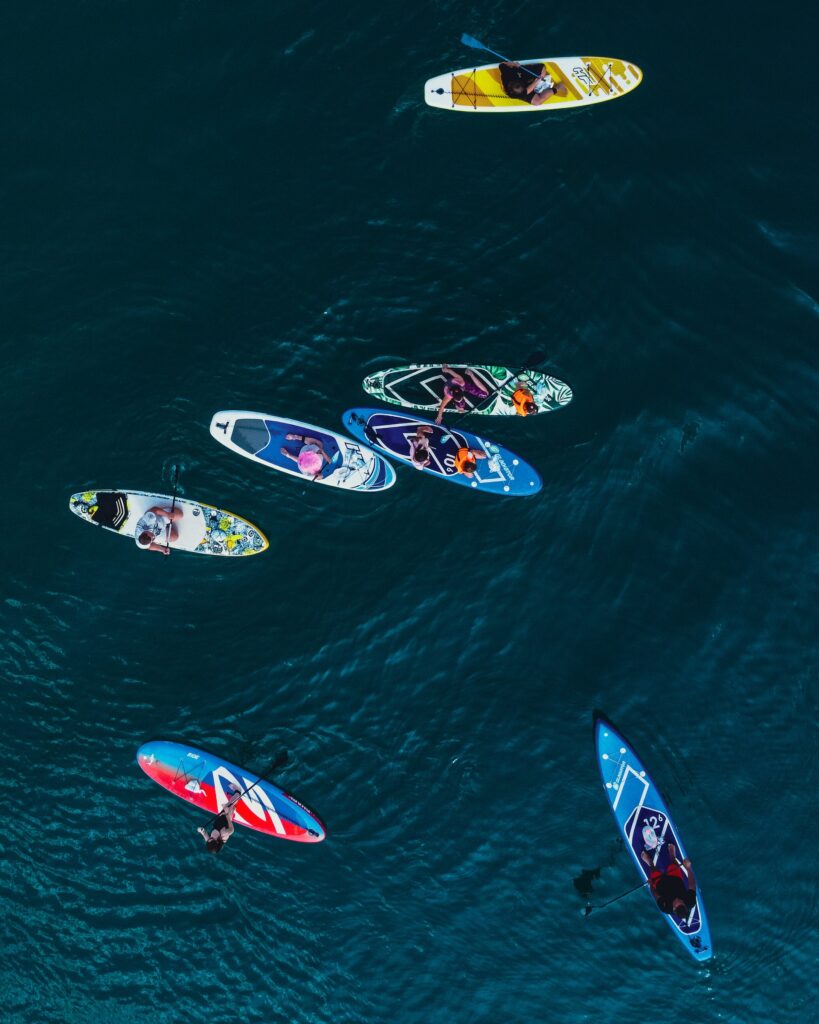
<point x="211" y="205"/>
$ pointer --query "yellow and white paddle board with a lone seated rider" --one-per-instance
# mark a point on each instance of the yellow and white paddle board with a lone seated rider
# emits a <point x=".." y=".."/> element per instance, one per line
<point x="588" y="81"/>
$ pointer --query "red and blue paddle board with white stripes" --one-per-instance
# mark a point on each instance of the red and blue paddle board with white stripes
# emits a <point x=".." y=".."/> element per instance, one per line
<point x="208" y="782"/>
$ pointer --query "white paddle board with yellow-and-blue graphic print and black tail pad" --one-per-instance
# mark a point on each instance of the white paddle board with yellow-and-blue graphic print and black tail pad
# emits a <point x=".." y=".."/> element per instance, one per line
<point x="203" y="529"/>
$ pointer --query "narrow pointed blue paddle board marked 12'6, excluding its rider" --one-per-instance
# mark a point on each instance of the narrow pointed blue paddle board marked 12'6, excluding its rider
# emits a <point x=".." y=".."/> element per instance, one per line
<point x="645" y="824"/>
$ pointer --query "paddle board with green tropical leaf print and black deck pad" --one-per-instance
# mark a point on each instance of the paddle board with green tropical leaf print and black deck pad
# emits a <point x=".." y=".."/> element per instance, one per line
<point x="420" y="386"/>
